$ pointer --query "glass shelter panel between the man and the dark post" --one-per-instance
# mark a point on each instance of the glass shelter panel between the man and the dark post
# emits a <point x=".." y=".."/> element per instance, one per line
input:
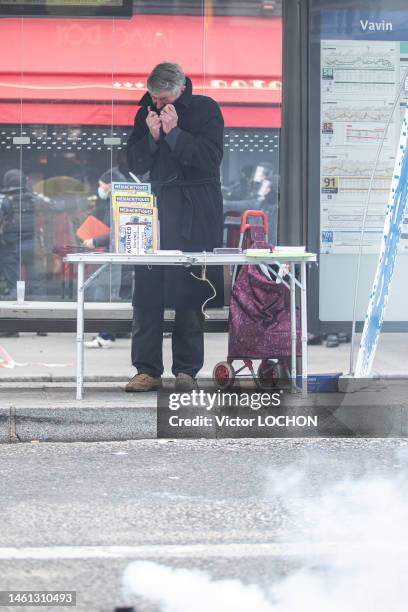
<point x="248" y="86"/>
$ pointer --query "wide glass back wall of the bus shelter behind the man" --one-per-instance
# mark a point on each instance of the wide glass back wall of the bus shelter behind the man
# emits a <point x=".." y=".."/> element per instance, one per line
<point x="69" y="92"/>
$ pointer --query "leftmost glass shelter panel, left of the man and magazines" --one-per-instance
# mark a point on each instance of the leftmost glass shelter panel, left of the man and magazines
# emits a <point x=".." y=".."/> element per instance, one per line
<point x="51" y="156"/>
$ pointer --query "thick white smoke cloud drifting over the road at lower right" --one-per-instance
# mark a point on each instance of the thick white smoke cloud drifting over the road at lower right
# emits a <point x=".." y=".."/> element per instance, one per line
<point x="358" y="525"/>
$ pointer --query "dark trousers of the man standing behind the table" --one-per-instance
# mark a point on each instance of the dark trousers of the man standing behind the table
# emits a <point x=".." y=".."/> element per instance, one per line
<point x="187" y="341"/>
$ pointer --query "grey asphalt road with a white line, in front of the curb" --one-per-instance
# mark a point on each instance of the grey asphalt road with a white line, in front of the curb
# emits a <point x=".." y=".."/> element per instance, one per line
<point x="73" y="516"/>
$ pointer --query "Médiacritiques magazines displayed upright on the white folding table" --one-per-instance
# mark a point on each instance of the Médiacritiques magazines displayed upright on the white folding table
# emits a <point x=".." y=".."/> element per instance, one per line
<point x="134" y="214"/>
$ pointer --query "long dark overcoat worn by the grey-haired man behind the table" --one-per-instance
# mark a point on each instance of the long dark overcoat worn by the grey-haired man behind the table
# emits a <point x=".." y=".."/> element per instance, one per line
<point x="185" y="175"/>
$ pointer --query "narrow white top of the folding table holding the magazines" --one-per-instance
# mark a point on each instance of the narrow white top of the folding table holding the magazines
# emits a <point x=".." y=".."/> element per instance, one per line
<point x="189" y="259"/>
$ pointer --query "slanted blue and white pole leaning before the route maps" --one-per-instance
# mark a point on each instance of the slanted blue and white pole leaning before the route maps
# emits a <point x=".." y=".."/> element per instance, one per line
<point x="385" y="268"/>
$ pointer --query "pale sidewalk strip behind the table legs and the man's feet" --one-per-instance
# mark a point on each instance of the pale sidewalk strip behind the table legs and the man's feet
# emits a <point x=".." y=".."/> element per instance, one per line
<point x="52" y="358"/>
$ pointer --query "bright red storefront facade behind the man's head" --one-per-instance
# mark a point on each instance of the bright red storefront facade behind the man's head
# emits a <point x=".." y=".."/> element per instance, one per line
<point x="73" y="72"/>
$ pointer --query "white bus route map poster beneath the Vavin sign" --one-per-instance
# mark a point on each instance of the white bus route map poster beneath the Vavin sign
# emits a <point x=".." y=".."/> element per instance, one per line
<point x="360" y="81"/>
